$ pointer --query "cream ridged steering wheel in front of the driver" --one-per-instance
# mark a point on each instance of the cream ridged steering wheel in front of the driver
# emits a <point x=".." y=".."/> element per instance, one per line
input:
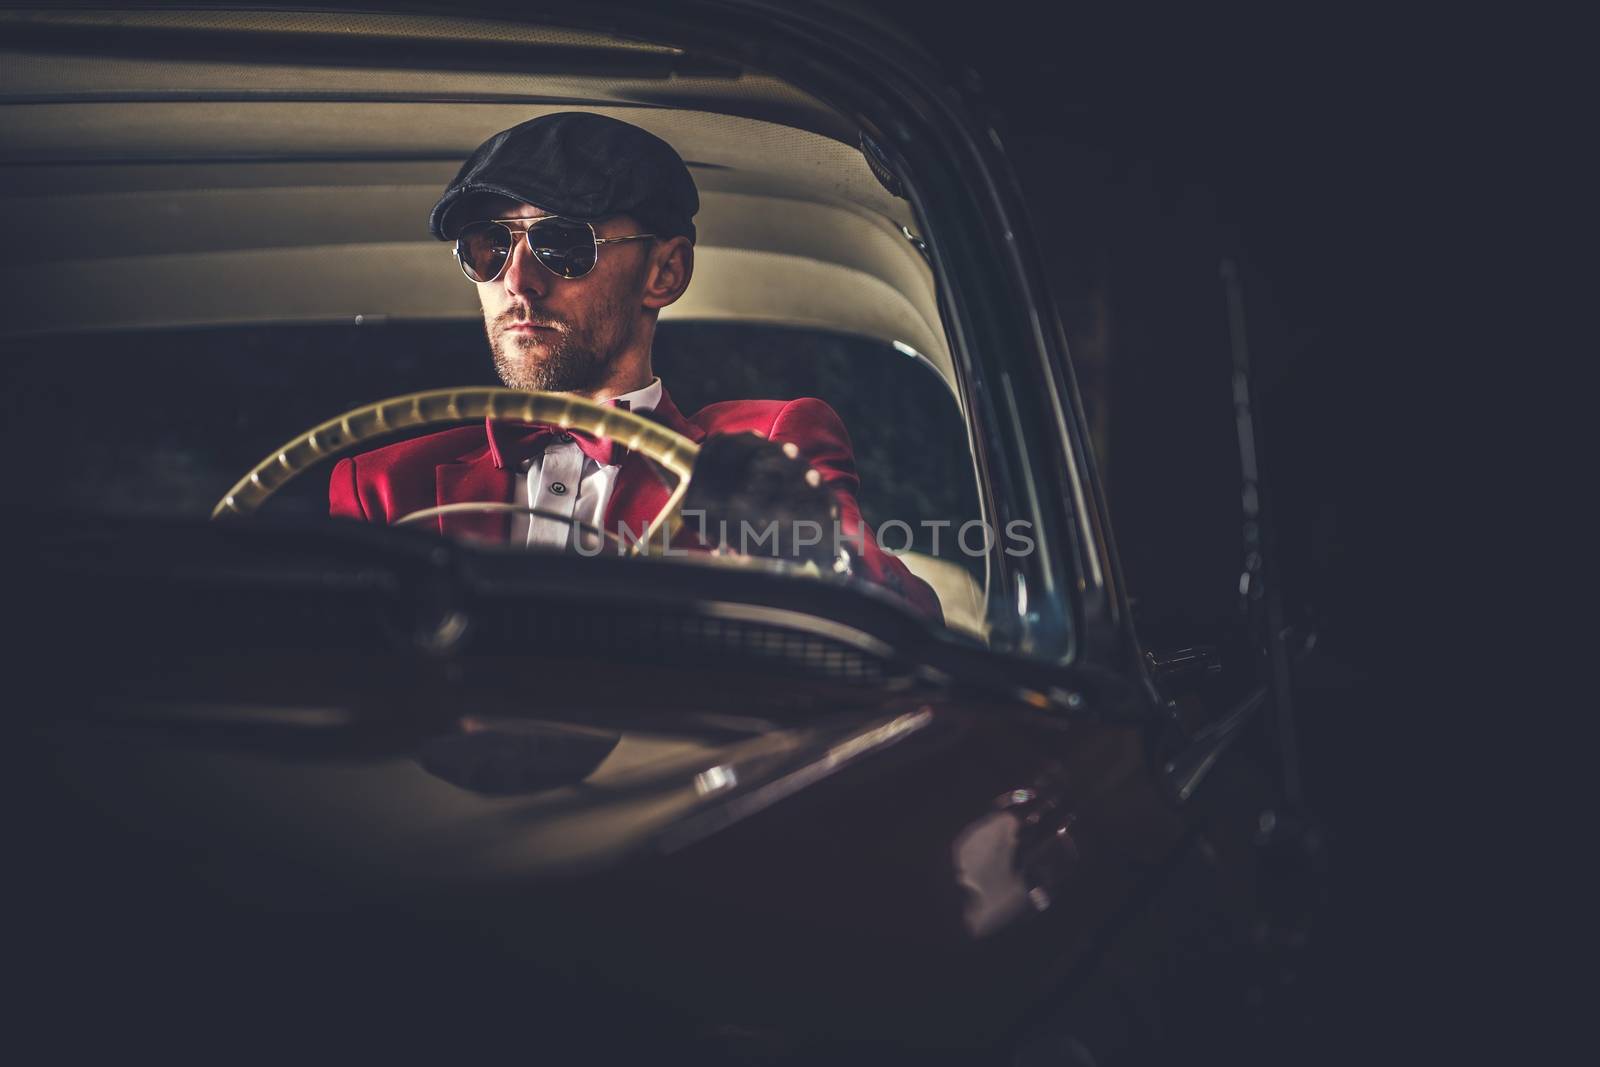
<point x="634" y="433"/>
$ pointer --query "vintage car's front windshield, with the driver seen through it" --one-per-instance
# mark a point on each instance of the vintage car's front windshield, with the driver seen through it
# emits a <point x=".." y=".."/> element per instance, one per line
<point x="210" y="278"/>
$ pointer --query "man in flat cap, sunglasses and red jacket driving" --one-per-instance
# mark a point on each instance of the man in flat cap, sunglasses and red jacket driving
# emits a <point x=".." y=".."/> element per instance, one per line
<point x="578" y="230"/>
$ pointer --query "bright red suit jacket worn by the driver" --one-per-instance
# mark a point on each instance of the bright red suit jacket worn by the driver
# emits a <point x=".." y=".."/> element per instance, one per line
<point x="471" y="465"/>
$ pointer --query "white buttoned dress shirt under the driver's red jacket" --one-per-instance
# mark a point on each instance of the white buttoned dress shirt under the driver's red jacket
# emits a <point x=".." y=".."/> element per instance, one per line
<point x="567" y="482"/>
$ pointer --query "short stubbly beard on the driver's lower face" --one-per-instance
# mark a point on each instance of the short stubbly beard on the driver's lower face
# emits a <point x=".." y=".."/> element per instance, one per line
<point x="569" y="358"/>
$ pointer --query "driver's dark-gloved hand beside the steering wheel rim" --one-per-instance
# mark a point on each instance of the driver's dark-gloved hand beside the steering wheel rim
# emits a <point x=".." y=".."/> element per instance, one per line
<point x="761" y="498"/>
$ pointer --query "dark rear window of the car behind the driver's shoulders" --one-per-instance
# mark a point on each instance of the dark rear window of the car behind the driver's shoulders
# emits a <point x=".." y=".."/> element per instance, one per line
<point x="162" y="423"/>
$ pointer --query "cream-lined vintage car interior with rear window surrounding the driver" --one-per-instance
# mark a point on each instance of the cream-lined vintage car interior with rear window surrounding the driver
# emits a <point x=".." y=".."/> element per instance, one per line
<point x="252" y="228"/>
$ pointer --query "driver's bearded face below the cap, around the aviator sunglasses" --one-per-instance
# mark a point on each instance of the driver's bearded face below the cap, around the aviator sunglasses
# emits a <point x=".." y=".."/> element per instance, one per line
<point x="562" y="335"/>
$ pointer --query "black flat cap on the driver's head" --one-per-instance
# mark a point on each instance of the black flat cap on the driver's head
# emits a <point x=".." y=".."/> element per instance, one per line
<point x="578" y="166"/>
